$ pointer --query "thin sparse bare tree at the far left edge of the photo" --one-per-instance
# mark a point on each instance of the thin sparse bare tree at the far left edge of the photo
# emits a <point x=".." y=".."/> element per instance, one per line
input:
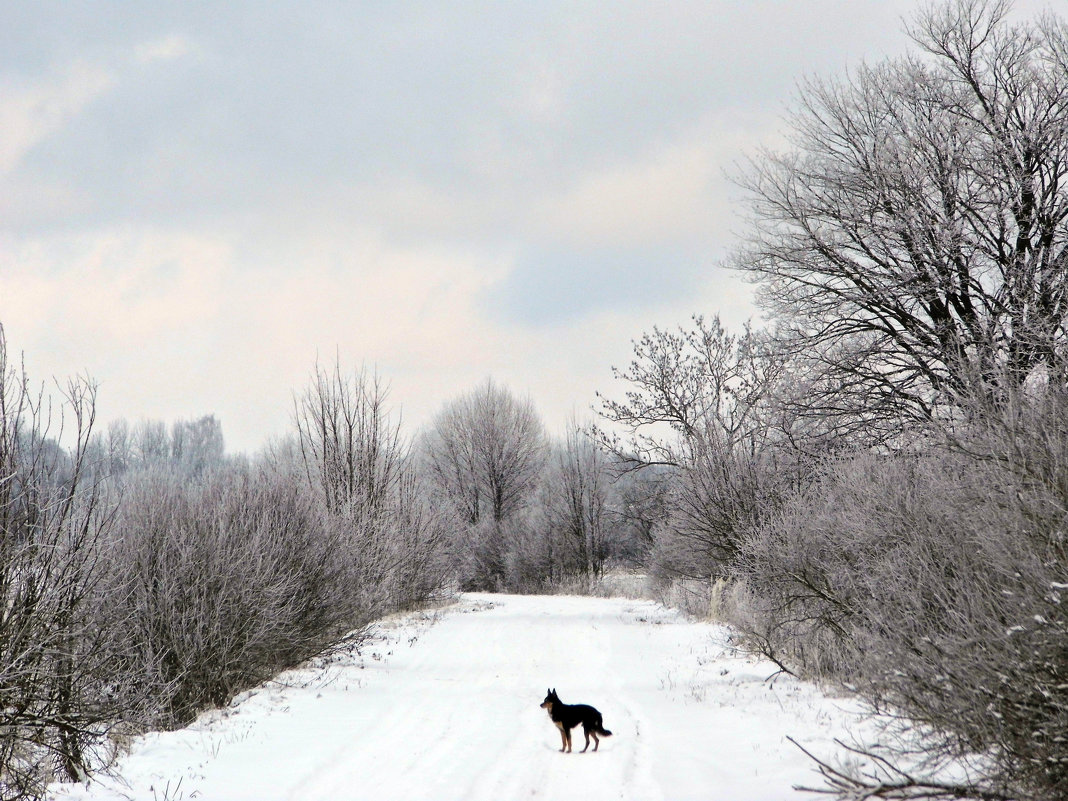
<point x="53" y="517"/>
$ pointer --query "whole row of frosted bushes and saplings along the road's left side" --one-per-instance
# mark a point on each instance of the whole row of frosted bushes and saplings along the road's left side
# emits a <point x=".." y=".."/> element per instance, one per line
<point x="139" y="591"/>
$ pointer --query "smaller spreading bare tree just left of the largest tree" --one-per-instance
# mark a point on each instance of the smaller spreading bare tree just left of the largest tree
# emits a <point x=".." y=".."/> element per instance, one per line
<point x="701" y="405"/>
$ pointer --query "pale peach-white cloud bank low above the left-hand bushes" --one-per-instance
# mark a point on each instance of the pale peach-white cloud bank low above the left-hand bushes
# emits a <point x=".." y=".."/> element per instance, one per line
<point x="176" y="324"/>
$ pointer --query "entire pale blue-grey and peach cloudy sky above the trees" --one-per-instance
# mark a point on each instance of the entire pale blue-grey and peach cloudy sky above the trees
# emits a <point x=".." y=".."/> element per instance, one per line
<point x="198" y="200"/>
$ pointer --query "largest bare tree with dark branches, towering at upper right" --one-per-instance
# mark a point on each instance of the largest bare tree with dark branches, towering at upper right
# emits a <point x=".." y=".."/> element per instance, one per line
<point x="915" y="241"/>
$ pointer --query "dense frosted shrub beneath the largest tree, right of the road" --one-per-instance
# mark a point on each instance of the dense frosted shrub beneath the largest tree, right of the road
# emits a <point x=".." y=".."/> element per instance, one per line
<point x="934" y="586"/>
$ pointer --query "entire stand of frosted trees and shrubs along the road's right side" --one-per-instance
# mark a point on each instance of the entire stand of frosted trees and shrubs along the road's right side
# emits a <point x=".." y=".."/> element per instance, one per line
<point x="875" y="489"/>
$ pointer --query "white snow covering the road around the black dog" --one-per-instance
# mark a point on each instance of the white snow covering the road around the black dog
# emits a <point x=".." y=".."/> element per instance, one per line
<point x="446" y="706"/>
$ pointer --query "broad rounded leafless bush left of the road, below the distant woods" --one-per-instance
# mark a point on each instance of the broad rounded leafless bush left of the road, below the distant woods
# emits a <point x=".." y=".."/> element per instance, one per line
<point x="227" y="580"/>
